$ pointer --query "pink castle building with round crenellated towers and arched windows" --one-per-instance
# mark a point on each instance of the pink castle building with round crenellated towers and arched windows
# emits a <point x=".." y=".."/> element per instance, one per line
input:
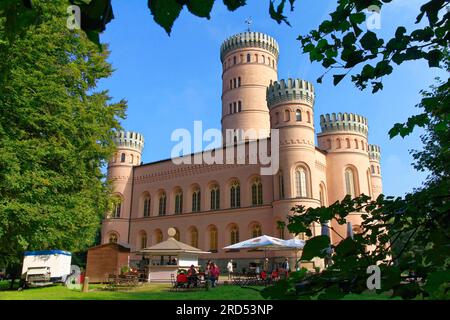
<point x="215" y="205"/>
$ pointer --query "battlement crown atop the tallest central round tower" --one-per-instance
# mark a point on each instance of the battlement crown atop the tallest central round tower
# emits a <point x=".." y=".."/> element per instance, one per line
<point x="249" y="39"/>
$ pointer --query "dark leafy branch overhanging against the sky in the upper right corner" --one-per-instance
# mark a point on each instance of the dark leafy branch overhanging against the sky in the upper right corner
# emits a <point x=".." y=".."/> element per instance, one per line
<point x="341" y="43"/>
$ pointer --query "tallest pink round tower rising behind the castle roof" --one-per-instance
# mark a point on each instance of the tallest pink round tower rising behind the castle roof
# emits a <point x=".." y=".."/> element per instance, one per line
<point x="249" y="62"/>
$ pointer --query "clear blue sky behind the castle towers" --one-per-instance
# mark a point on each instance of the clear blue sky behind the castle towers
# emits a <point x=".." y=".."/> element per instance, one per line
<point x="170" y="82"/>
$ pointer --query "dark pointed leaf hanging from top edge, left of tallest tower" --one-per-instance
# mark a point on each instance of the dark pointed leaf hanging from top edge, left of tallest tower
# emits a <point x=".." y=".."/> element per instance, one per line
<point x="165" y="12"/>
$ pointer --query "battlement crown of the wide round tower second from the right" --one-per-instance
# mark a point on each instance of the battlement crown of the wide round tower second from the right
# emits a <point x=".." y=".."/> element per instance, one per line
<point x="343" y="122"/>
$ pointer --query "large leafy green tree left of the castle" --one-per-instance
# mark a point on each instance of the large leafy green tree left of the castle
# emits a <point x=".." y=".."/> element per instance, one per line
<point x="56" y="133"/>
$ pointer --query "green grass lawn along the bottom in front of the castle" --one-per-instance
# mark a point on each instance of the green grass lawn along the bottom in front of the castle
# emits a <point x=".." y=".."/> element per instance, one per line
<point x="147" y="292"/>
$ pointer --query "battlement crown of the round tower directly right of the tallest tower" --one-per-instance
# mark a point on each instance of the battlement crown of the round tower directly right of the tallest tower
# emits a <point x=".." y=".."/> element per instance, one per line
<point x="290" y="90"/>
